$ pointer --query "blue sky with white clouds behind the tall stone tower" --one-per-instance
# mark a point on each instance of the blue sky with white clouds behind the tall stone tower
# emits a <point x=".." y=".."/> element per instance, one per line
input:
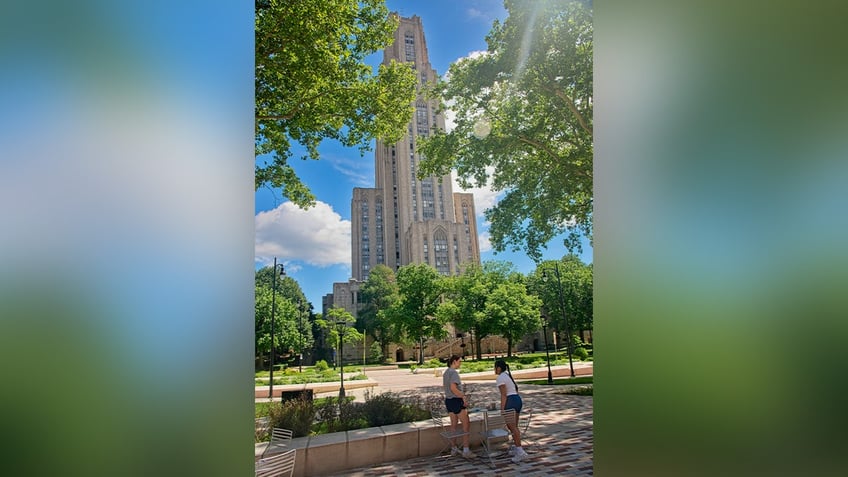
<point x="314" y="245"/>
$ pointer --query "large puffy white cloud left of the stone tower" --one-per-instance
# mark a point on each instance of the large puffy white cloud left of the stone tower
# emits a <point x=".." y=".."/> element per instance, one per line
<point x="317" y="236"/>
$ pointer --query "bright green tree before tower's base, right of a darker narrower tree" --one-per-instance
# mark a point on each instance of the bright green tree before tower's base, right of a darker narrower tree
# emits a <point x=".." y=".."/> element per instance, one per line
<point x="415" y="313"/>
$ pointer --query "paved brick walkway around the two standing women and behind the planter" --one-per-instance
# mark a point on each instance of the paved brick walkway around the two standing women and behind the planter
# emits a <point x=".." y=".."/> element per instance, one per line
<point x="560" y="435"/>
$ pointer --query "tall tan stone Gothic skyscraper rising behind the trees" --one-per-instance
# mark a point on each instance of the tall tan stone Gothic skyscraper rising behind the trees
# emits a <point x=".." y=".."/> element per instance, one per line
<point x="405" y="220"/>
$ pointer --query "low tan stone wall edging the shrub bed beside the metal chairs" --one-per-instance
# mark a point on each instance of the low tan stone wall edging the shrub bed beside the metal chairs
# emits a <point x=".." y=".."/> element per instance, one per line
<point x="334" y="453"/>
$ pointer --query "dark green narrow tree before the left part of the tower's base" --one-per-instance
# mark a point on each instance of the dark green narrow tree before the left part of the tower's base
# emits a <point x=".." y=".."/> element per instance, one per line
<point x="377" y="294"/>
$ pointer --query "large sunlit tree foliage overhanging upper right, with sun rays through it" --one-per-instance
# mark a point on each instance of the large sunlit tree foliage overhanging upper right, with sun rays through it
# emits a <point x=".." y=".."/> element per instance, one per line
<point x="524" y="124"/>
